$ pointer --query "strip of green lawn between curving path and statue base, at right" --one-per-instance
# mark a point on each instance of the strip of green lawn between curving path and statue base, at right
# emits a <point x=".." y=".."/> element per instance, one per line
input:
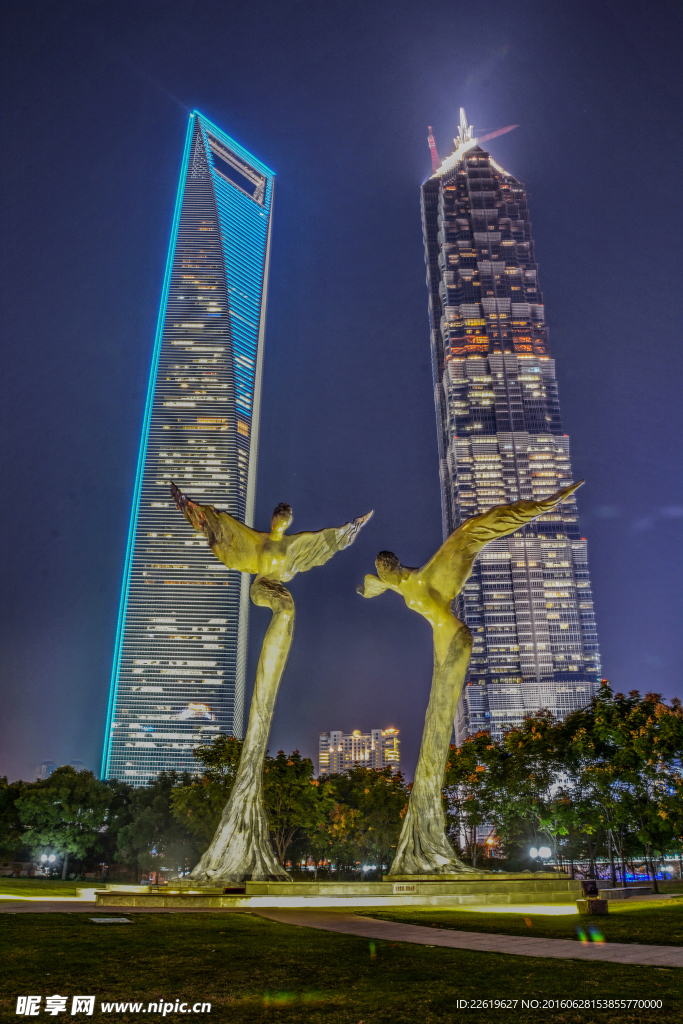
<point x="661" y="924"/>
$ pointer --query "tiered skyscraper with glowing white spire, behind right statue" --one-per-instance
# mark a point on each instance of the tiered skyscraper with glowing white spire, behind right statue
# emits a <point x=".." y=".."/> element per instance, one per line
<point x="529" y="601"/>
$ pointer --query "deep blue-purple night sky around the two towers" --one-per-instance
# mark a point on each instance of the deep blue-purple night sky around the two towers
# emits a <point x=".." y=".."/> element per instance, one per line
<point x="336" y="98"/>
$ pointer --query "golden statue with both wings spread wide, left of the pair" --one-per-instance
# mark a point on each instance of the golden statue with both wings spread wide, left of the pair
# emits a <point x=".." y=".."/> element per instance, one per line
<point x="241" y="849"/>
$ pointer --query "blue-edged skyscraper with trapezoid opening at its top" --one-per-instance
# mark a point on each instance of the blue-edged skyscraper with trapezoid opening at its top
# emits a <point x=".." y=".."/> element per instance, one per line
<point x="179" y="672"/>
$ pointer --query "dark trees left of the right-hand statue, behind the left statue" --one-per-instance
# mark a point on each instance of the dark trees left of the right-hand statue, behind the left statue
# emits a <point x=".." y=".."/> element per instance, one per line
<point x="166" y="826"/>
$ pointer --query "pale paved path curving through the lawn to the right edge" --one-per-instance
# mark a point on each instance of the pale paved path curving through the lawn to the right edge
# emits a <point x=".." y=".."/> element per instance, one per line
<point x="391" y="931"/>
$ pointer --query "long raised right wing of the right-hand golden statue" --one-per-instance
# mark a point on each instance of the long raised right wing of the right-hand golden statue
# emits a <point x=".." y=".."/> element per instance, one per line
<point x="451" y="567"/>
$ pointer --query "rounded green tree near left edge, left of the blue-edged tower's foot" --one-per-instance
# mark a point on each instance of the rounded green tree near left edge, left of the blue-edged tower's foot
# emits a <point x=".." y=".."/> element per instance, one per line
<point x="67" y="812"/>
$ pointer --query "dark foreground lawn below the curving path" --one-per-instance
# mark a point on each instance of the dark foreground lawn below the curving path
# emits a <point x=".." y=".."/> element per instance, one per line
<point x="254" y="971"/>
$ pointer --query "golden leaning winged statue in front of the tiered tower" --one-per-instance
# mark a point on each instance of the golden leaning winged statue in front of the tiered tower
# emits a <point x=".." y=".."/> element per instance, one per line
<point x="423" y="846"/>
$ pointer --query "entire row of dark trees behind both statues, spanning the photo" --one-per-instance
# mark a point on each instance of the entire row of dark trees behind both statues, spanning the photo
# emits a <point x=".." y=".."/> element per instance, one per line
<point x="606" y="785"/>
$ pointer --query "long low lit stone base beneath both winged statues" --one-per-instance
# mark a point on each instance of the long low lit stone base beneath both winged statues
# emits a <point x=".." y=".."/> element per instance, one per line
<point x="494" y="890"/>
